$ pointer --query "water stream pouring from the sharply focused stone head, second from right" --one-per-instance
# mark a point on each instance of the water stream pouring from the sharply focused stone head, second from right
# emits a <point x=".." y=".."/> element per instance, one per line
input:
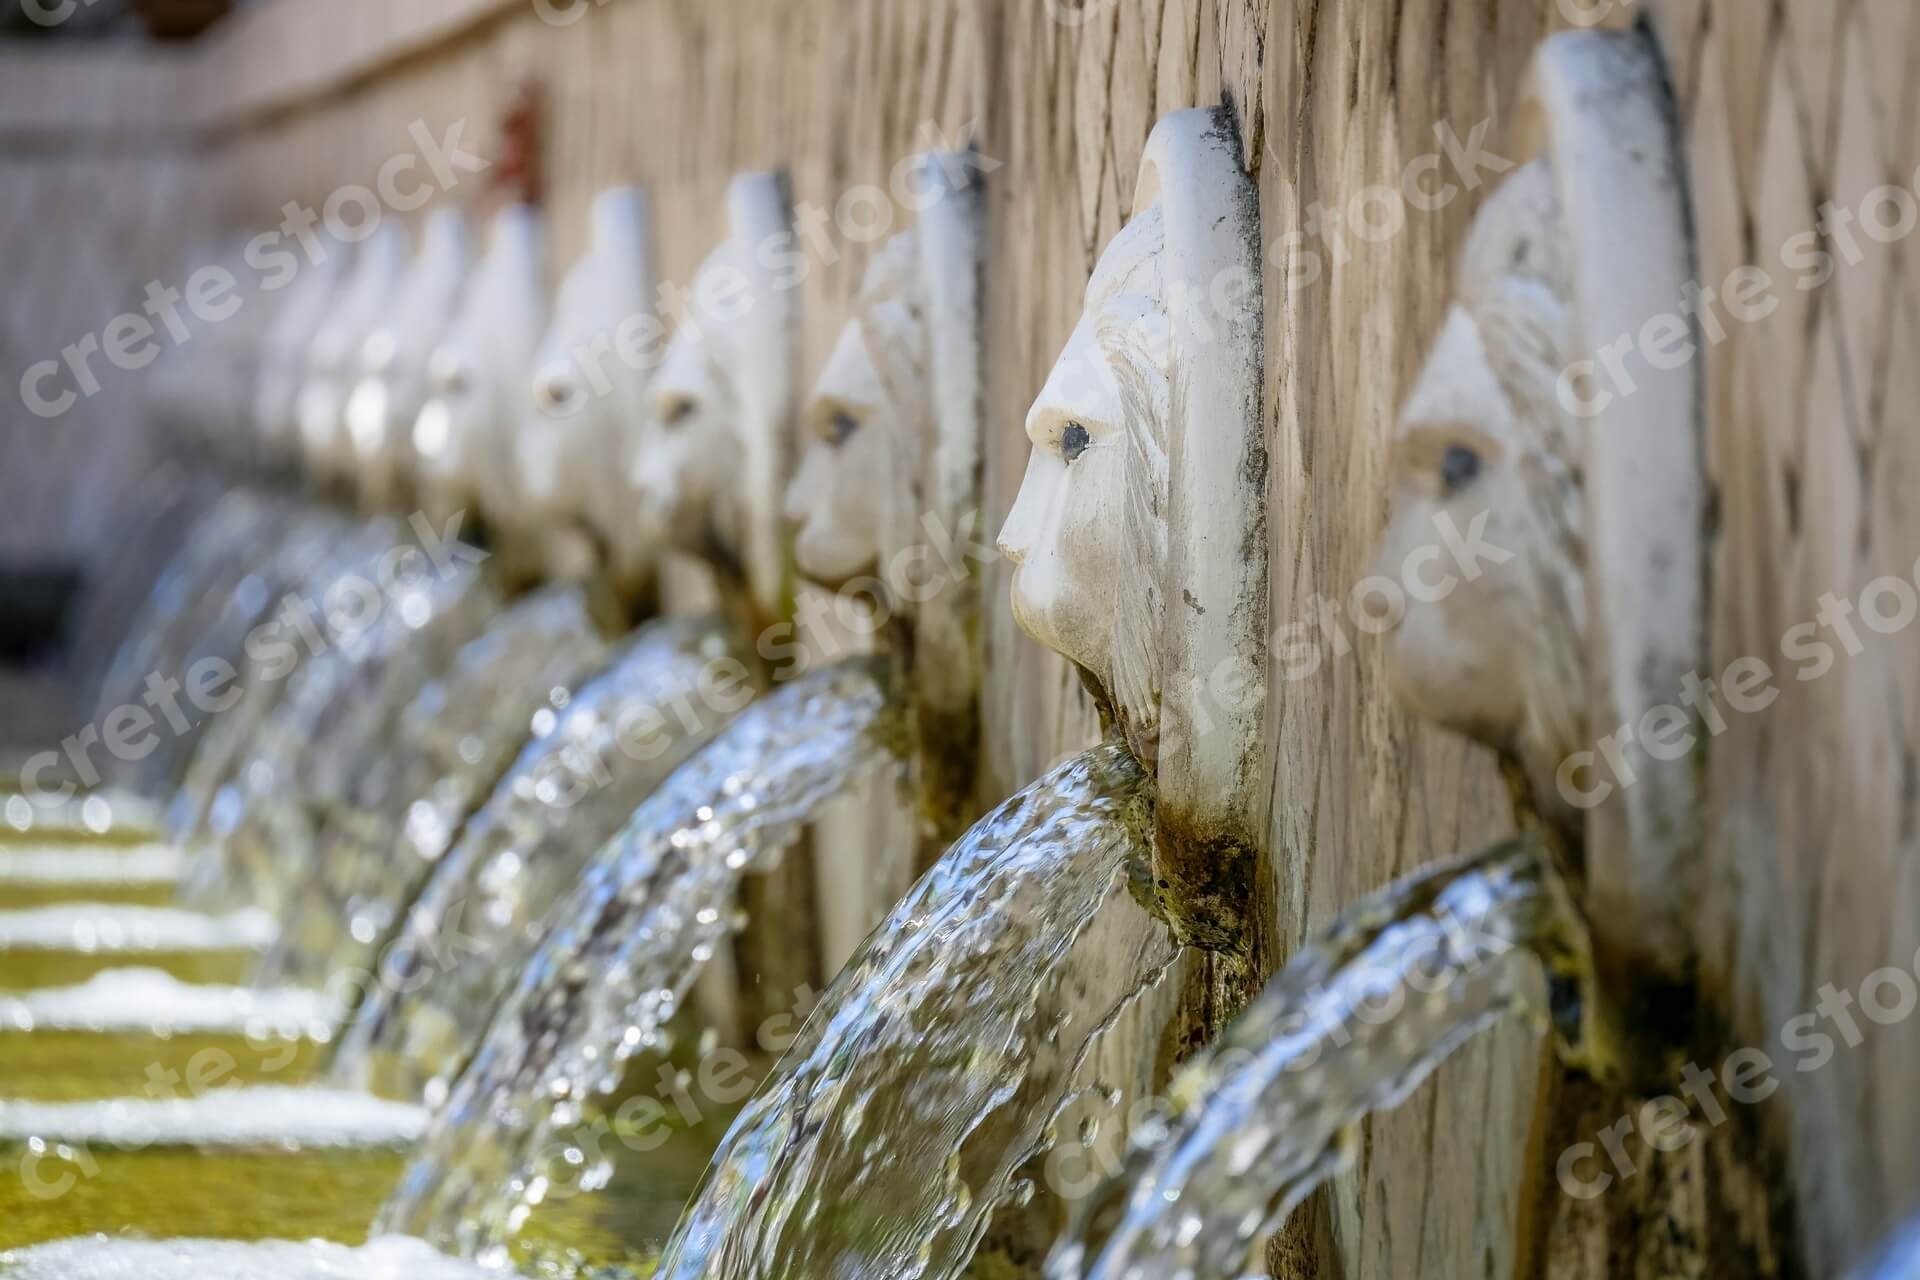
<point x="944" y="1053"/>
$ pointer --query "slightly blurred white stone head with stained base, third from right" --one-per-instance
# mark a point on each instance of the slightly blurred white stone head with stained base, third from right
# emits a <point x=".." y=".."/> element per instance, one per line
<point x="892" y="471"/>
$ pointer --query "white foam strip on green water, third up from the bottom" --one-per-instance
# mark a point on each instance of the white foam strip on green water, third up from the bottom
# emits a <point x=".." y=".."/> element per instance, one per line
<point x="151" y="1001"/>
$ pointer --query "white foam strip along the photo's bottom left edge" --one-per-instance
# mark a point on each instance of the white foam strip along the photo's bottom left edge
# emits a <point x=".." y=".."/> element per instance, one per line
<point x="99" y="1258"/>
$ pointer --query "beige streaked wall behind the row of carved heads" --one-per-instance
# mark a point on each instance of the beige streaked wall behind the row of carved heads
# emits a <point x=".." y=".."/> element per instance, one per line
<point x="120" y="156"/>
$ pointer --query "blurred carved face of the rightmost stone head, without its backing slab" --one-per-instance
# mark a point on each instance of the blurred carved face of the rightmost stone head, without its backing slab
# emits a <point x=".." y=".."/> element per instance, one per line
<point x="1487" y="450"/>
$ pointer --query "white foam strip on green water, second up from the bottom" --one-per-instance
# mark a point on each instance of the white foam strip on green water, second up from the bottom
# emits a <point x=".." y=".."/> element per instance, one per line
<point x="224" y="1118"/>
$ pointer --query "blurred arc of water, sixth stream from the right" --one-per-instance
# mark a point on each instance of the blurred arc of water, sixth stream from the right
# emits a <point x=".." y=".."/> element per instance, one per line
<point x="337" y="707"/>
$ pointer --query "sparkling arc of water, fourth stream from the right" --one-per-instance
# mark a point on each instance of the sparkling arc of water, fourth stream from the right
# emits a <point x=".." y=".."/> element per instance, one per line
<point x="491" y="901"/>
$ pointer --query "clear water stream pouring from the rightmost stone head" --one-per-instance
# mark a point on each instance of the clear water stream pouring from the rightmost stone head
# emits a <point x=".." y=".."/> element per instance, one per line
<point x="1351" y="1028"/>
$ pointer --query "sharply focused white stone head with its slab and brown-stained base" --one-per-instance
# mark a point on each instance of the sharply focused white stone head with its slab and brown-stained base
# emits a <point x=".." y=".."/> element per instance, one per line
<point x="1140" y="538"/>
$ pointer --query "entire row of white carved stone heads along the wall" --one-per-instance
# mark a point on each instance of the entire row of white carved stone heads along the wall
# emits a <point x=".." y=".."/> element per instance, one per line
<point x="588" y="427"/>
